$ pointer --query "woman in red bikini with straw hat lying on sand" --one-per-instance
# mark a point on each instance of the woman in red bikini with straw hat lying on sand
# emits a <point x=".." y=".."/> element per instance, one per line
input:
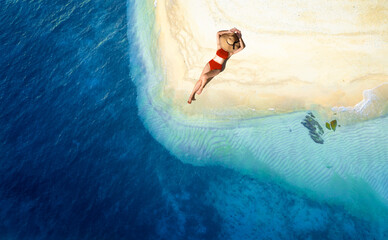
<point x="229" y="42"/>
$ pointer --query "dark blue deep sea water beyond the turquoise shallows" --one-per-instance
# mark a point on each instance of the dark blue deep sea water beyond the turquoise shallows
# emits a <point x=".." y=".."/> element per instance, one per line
<point x="77" y="162"/>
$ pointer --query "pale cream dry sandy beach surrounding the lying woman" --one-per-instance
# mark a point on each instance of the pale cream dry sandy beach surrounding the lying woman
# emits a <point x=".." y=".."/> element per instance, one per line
<point x="299" y="54"/>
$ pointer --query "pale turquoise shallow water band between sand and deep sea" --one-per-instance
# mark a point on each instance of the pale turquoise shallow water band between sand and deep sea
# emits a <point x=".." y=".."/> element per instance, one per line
<point x="350" y="169"/>
